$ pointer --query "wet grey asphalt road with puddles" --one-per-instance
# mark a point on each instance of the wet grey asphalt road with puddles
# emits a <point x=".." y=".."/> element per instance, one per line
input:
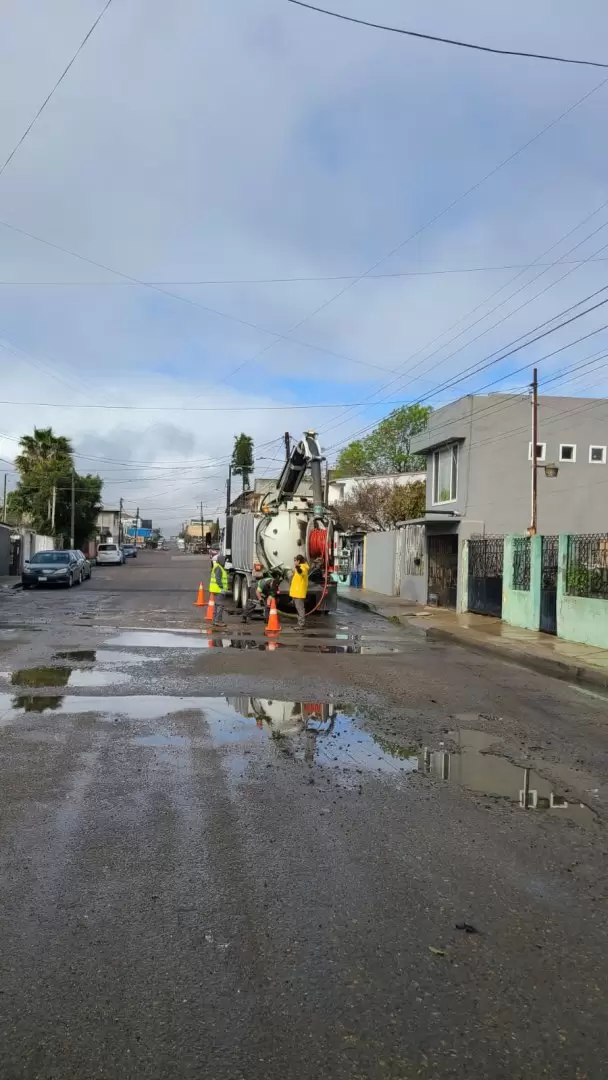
<point x="227" y="861"/>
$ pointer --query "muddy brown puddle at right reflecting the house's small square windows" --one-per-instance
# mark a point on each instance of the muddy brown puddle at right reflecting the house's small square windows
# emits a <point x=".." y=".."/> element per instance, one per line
<point x="489" y="774"/>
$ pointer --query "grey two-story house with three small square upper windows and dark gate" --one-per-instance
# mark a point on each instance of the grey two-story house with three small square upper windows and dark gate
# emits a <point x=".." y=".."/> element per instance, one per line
<point x="479" y="480"/>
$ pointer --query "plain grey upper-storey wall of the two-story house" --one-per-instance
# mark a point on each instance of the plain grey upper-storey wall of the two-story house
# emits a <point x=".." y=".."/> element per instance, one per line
<point x="494" y="470"/>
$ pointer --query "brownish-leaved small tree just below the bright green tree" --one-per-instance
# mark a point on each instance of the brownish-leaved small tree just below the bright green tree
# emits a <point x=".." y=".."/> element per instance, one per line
<point x="380" y="507"/>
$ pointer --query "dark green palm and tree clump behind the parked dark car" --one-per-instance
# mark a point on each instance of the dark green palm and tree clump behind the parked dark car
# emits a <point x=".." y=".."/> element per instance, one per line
<point x="46" y="467"/>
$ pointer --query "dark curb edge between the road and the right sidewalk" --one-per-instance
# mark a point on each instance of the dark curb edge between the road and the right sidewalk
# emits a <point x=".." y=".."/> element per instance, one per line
<point x="543" y="666"/>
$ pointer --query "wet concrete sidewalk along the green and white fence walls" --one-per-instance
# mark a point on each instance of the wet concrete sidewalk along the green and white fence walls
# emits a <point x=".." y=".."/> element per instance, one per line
<point x="542" y="653"/>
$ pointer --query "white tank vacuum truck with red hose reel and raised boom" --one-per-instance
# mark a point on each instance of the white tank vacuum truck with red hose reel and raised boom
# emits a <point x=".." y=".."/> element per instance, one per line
<point x="280" y="524"/>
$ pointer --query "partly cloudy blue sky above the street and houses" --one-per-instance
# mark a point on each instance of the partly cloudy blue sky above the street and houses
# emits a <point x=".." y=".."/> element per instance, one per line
<point x="246" y="217"/>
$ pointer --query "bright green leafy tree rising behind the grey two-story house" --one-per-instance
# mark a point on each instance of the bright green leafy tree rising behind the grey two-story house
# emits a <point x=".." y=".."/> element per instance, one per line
<point x="387" y="450"/>
